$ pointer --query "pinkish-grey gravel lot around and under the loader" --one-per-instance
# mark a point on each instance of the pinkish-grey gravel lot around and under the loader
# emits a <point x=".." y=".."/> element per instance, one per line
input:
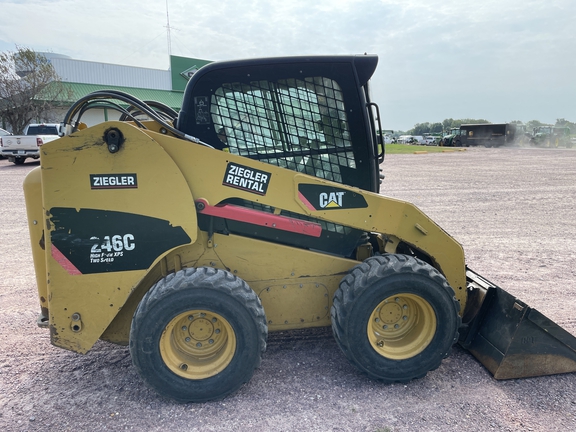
<point x="513" y="210"/>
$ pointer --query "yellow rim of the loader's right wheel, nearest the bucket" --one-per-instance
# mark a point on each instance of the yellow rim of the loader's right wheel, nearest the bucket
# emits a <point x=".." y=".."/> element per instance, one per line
<point x="401" y="326"/>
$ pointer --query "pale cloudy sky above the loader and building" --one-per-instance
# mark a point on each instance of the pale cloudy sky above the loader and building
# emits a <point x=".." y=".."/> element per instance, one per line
<point x="499" y="60"/>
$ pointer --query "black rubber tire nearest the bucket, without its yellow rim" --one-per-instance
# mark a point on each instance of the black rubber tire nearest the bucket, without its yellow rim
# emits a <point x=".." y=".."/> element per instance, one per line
<point x="364" y="287"/>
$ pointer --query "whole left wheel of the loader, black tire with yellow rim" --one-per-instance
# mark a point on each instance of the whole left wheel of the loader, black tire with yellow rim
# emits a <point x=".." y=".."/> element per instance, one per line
<point x="198" y="335"/>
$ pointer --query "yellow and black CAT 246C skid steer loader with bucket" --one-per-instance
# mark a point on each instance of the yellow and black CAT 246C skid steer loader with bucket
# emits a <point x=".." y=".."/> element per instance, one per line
<point x="256" y="208"/>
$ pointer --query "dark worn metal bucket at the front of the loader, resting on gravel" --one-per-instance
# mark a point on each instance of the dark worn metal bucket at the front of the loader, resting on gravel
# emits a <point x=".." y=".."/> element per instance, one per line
<point x="511" y="339"/>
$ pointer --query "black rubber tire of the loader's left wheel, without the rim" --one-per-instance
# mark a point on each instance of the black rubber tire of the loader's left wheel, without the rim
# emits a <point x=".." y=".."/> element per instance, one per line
<point x="198" y="288"/>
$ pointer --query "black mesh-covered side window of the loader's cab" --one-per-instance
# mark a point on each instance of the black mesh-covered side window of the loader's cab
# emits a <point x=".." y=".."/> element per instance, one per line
<point x="296" y="124"/>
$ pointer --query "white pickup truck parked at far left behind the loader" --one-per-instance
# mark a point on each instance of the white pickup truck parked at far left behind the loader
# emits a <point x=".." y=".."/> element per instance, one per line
<point x="17" y="148"/>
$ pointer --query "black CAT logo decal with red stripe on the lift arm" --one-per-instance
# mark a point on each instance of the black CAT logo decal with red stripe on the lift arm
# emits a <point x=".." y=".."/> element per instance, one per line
<point x="319" y="197"/>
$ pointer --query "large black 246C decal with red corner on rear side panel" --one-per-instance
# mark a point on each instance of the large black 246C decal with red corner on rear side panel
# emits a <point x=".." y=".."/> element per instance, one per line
<point x="97" y="241"/>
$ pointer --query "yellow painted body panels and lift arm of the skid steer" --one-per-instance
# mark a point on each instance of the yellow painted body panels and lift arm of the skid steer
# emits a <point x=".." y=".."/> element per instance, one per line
<point x="296" y="286"/>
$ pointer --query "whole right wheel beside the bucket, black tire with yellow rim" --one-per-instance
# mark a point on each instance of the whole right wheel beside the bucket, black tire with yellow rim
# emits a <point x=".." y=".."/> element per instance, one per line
<point x="395" y="317"/>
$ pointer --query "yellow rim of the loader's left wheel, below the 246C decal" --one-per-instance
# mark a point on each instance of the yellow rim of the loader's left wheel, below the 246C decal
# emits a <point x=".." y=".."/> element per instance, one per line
<point x="197" y="344"/>
